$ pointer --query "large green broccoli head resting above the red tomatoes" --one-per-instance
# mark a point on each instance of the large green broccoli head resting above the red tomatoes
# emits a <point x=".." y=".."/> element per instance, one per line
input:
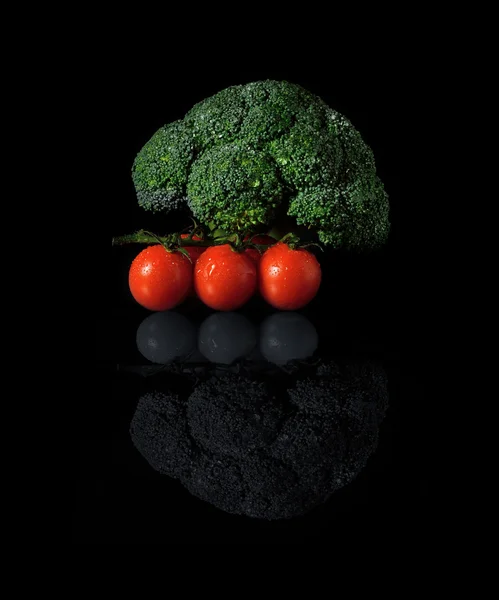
<point x="254" y="152"/>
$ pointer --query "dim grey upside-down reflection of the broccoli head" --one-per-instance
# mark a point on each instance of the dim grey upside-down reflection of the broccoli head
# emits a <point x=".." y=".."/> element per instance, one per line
<point x="238" y="446"/>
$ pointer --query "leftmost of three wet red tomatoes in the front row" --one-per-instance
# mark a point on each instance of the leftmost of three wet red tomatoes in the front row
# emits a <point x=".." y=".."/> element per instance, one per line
<point x="158" y="279"/>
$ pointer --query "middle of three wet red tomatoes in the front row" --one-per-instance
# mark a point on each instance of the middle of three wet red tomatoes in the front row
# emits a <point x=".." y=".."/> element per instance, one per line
<point x="224" y="279"/>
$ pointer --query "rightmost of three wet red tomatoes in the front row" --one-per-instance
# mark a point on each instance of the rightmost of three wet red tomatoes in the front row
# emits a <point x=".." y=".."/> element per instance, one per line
<point x="288" y="279"/>
